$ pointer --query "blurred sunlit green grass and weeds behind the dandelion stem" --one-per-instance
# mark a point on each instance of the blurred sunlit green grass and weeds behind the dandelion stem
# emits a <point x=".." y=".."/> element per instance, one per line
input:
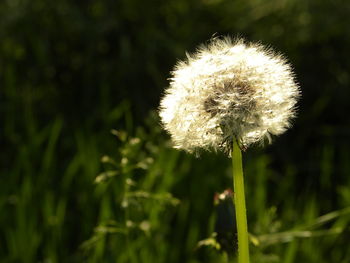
<point x="127" y="196"/>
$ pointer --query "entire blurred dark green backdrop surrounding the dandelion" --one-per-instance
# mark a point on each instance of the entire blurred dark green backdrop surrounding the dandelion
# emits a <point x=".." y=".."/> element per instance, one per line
<point x="73" y="191"/>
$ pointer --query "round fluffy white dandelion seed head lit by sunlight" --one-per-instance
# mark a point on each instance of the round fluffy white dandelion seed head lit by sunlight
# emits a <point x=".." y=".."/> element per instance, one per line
<point x="228" y="89"/>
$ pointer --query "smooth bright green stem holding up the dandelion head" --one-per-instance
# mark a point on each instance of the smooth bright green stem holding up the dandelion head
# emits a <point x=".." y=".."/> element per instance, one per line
<point x="239" y="199"/>
